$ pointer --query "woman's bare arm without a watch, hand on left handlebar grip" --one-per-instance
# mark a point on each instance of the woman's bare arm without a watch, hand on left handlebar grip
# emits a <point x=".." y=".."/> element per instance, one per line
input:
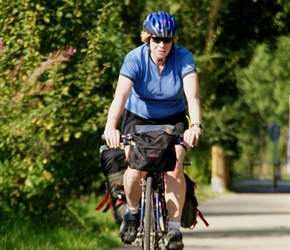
<point x="122" y="92"/>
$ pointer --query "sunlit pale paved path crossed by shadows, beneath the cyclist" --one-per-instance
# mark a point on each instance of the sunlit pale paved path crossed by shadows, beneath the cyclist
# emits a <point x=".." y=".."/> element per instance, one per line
<point x="240" y="221"/>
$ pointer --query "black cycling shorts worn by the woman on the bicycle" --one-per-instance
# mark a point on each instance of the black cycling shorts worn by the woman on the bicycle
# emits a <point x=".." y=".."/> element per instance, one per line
<point x="130" y="119"/>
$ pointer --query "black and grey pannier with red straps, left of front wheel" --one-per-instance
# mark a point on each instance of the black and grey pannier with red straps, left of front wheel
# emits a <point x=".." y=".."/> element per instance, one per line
<point x="113" y="165"/>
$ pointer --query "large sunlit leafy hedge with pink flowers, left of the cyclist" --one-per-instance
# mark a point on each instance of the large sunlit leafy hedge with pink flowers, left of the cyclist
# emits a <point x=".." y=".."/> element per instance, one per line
<point x="56" y="85"/>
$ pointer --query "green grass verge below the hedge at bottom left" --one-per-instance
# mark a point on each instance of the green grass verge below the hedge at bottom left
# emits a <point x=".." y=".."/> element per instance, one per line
<point x="84" y="229"/>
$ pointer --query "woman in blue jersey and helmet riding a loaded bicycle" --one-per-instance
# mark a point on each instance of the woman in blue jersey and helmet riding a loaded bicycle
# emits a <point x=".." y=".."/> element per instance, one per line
<point x="152" y="83"/>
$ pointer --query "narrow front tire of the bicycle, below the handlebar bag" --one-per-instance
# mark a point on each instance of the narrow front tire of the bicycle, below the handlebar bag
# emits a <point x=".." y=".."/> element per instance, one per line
<point x="149" y="216"/>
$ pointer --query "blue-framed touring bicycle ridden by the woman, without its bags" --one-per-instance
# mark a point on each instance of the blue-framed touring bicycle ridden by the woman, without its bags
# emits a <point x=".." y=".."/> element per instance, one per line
<point x="153" y="216"/>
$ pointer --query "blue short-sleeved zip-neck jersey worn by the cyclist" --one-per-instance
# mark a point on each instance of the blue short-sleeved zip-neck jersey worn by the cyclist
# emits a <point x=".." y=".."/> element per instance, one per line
<point x="154" y="95"/>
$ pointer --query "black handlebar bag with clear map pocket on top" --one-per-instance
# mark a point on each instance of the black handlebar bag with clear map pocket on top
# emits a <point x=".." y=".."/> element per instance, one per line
<point x="153" y="149"/>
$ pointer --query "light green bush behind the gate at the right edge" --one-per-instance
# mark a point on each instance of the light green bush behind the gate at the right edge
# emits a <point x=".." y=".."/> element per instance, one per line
<point x="264" y="84"/>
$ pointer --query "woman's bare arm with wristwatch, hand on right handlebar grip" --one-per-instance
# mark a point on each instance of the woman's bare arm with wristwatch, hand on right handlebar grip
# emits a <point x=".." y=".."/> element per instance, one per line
<point x="191" y="90"/>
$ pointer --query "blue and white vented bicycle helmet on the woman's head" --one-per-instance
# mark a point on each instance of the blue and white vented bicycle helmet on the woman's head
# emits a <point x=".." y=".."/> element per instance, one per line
<point x="160" y="24"/>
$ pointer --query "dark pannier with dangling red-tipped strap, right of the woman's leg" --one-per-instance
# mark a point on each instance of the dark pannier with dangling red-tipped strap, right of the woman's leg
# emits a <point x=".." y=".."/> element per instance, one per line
<point x="190" y="210"/>
